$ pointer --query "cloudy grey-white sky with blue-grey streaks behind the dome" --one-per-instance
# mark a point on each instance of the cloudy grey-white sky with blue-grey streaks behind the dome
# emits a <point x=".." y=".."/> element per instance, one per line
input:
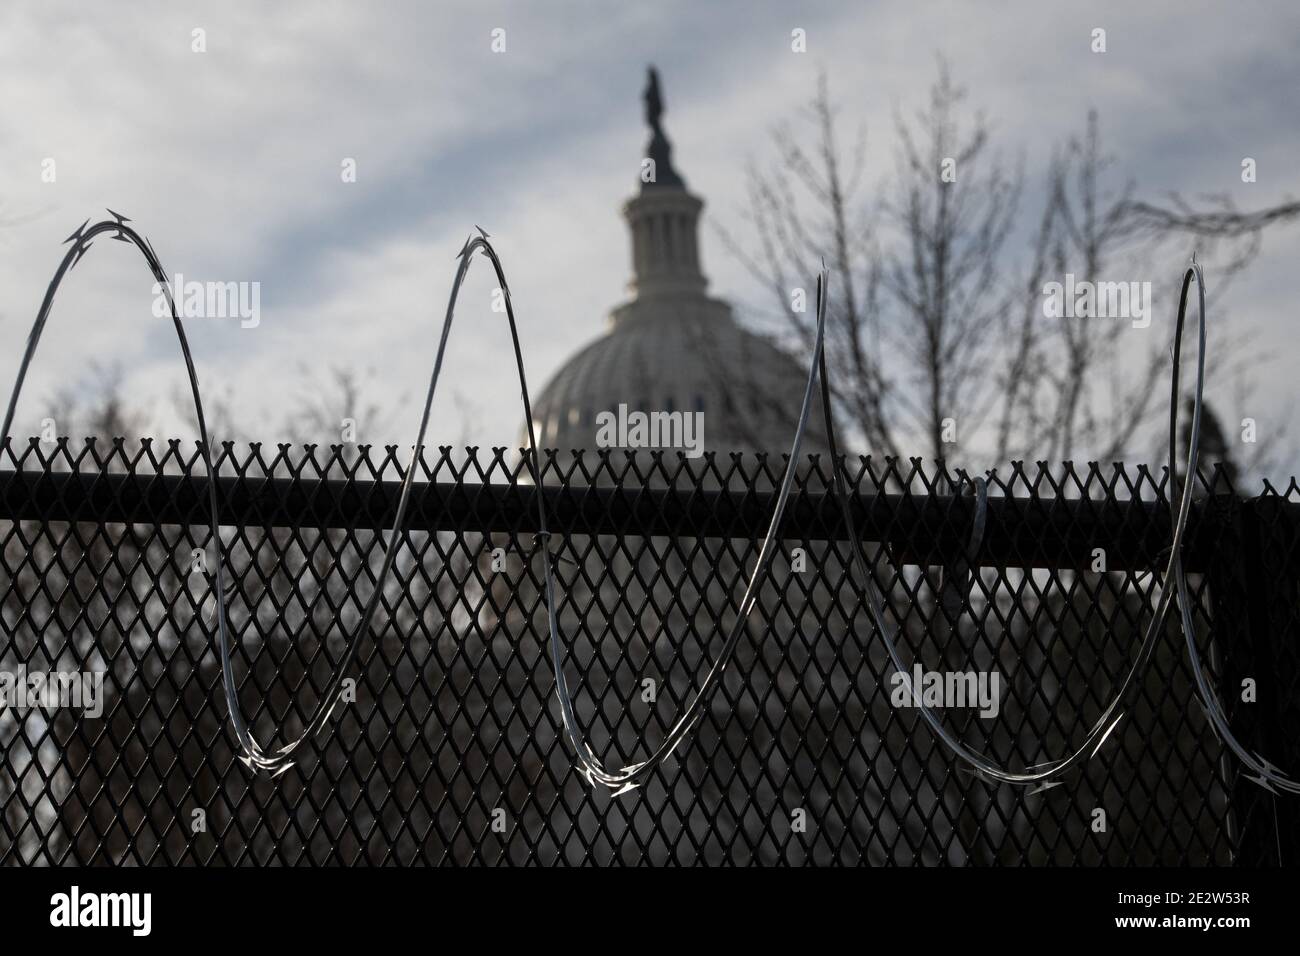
<point x="231" y="159"/>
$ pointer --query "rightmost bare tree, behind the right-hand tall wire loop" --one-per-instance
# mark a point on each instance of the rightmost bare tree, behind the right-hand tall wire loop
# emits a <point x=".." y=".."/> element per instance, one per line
<point x="1076" y="386"/>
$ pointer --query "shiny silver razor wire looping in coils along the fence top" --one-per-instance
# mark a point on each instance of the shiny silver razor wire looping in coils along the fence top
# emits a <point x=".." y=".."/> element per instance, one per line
<point x="630" y="777"/>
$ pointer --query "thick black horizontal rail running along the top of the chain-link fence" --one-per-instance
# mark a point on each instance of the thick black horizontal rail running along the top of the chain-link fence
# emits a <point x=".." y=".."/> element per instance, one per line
<point x="1059" y="533"/>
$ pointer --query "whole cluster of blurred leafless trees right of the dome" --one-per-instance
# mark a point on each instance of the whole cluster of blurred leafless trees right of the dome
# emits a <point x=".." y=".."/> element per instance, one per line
<point x="934" y="317"/>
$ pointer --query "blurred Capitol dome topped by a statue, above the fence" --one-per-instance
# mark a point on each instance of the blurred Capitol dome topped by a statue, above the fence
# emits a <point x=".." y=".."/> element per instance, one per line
<point x="671" y="349"/>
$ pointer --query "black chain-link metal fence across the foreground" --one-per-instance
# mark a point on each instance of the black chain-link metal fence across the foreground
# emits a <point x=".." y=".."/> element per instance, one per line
<point x="450" y="750"/>
